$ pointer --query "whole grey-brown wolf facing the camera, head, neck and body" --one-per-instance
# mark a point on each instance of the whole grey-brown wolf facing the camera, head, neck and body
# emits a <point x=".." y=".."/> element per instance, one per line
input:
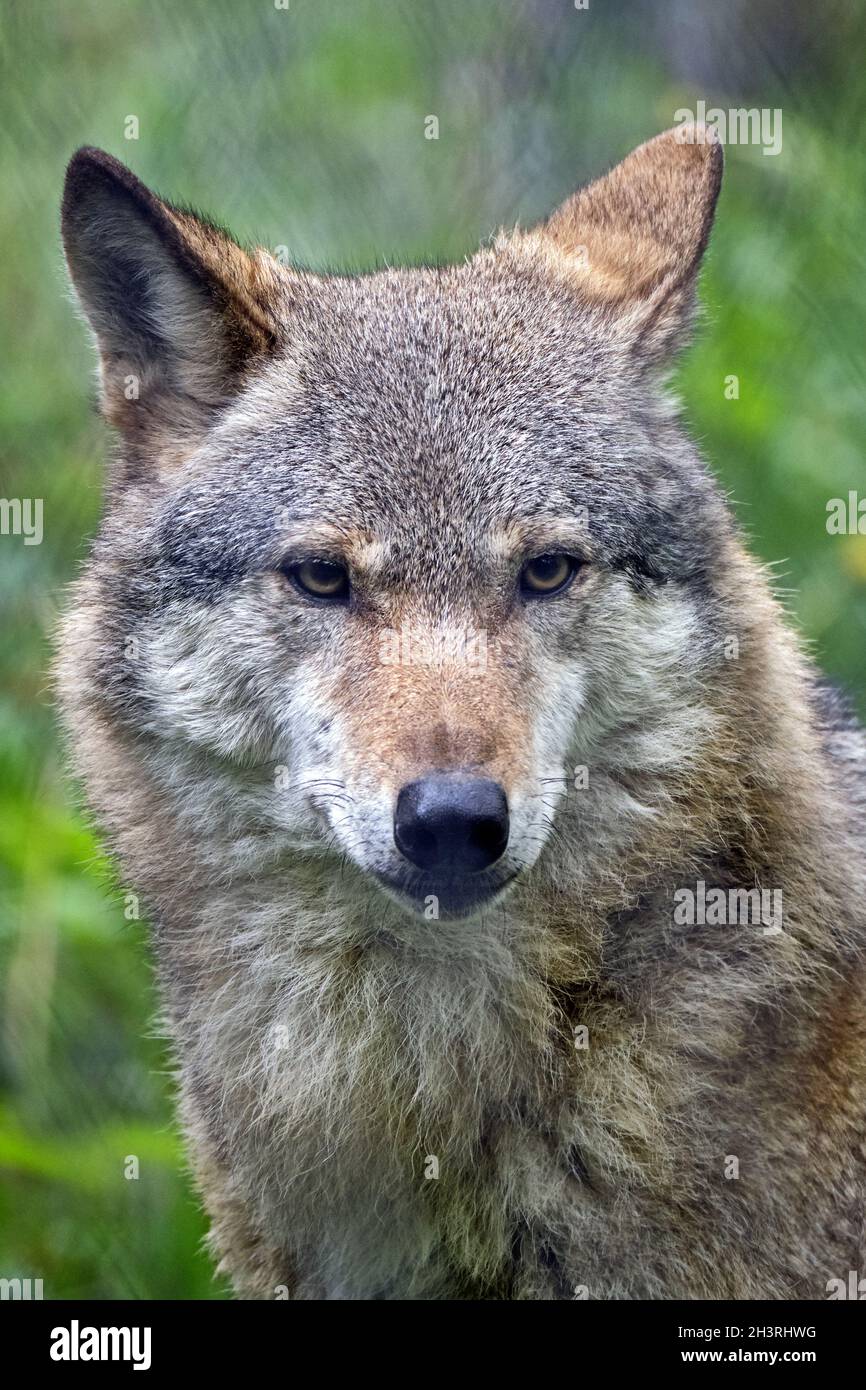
<point x="439" y="1033"/>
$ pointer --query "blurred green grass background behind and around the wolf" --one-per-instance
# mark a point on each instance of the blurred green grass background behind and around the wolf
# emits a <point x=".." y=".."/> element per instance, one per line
<point x="305" y="129"/>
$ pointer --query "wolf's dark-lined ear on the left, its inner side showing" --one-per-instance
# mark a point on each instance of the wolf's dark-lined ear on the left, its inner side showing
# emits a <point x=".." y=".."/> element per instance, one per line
<point x="179" y="309"/>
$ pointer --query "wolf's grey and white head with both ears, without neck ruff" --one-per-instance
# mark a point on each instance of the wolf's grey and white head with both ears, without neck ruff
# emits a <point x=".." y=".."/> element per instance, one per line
<point x="394" y="566"/>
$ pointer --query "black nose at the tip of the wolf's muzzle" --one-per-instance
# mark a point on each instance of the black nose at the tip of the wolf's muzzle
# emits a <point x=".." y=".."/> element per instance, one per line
<point x="452" y="822"/>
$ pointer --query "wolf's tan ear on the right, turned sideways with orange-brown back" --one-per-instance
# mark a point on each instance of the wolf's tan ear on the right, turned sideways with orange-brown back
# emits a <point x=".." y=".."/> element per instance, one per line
<point x="630" y="244"/>
